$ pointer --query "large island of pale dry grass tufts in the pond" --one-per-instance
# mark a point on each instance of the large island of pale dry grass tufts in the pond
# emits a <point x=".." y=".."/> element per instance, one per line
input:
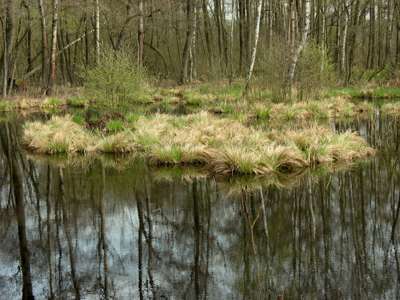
<point x="223" y="145"/>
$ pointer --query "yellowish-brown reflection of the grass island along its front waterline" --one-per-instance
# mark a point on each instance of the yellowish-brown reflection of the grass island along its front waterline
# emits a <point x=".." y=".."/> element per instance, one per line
<point x="134" y="166"/>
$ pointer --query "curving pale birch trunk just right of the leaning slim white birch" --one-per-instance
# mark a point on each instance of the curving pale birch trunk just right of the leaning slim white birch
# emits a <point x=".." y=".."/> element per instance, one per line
<point x="300" y="47"/>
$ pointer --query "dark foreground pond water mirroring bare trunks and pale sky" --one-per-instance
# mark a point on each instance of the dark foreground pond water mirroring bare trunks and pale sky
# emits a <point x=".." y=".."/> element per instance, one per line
<point x="97" y="229"/>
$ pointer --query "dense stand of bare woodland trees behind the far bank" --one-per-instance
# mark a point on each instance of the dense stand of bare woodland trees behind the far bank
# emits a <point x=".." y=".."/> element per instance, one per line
<point x="186" y="40"/>
